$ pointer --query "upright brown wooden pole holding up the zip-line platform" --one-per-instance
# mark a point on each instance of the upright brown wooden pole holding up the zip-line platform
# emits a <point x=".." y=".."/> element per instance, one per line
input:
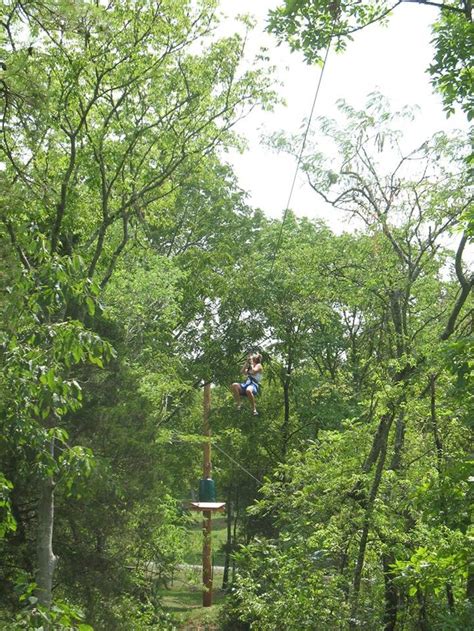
<point x="207" y="515"/>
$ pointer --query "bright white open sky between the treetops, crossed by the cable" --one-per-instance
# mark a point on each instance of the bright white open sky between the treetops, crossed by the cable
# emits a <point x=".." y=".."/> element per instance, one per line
<point x="391" y="59"/>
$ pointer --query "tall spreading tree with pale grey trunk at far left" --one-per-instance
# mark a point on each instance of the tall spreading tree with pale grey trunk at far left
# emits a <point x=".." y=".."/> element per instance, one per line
<point x="106" y="111"/>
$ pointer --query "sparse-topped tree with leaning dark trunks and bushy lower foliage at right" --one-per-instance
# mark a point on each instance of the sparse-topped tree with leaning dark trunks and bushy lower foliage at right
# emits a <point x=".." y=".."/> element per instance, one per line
<point x="354" y="504"/>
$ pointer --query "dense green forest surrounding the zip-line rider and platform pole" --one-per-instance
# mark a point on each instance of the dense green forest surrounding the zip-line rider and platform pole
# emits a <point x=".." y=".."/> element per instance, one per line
<point x="134" y="270"/>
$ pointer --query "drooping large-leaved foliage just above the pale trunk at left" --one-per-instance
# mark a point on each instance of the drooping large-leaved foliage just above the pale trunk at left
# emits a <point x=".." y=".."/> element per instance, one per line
<point x="40" y="353"/>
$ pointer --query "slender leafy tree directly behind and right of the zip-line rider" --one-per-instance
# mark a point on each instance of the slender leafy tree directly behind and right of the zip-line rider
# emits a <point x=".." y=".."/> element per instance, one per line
<point x="301" y="323"/>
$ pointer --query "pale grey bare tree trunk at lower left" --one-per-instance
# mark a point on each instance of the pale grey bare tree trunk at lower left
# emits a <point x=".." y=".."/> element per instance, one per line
<point x="45" y="556"/>
